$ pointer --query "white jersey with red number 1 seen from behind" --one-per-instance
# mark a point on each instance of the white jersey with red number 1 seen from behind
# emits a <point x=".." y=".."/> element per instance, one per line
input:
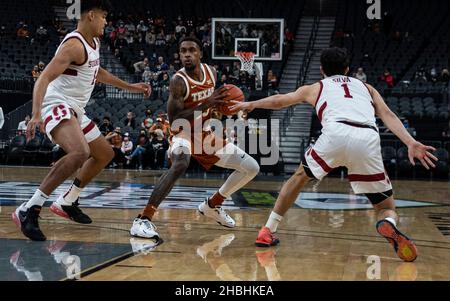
<point x="344" y="98"/>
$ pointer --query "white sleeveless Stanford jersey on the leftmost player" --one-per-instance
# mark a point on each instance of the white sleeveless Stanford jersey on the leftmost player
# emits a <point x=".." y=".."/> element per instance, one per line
<point x="75" y="86"/>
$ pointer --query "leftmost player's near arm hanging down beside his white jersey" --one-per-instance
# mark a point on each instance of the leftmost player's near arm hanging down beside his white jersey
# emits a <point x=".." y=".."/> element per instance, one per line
<point x="70" y="52"/>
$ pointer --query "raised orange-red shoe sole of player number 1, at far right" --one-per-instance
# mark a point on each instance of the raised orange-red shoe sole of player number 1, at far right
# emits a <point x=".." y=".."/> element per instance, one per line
<point x="403" y="246"/>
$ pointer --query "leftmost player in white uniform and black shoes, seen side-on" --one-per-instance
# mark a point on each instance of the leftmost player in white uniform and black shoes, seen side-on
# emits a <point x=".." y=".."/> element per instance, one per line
<point x="59" y="98"/>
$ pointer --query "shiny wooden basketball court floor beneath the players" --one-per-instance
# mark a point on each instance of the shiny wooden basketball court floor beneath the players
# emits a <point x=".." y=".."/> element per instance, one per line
<point x="328" y="236"/>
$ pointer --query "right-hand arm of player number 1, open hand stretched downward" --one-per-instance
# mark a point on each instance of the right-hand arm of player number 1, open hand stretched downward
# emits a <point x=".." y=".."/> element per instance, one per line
<point x="416" y="150"/>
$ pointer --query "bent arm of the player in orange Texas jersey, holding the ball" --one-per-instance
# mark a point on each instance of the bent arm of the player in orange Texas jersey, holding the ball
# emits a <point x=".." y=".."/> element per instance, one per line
<point x="175" y="106"/>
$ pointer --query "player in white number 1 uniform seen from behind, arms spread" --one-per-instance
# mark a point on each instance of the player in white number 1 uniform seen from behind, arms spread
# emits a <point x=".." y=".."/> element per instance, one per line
<point x="350" y="138"/>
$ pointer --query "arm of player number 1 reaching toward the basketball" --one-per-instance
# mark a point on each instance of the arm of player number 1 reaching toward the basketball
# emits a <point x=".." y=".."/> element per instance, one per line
<point x="276" y="102"/>
